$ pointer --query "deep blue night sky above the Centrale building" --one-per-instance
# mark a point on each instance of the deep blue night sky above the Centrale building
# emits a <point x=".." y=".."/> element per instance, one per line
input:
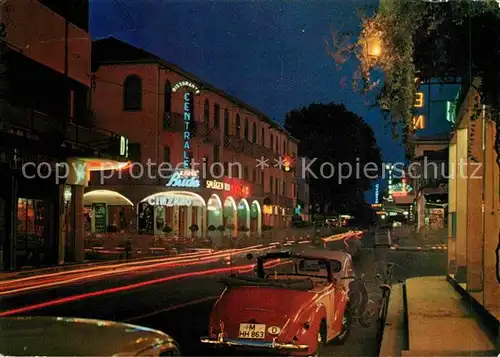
<point x="270" y="54"/>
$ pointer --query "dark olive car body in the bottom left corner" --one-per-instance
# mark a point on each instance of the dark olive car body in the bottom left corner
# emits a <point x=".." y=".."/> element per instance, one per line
<point x="62" y="336"/>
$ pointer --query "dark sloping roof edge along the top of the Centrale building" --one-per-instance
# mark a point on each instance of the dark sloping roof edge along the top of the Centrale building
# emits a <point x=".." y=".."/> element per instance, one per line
<point x="203" y="84"/>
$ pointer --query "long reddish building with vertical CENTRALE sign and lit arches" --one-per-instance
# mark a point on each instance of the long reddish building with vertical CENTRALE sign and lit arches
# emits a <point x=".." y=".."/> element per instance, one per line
<point x="202" y="145"/>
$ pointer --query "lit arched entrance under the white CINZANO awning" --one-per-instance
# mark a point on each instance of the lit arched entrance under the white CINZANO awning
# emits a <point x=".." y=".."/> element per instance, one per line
<point x="172" y="212"/>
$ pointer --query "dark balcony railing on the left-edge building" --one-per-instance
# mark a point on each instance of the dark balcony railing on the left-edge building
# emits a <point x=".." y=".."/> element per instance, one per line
<point x="54" y="132"/>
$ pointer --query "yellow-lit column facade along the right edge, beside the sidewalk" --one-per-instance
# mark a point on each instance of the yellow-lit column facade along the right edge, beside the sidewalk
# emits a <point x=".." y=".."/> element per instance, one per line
<point x="473" y="232"/>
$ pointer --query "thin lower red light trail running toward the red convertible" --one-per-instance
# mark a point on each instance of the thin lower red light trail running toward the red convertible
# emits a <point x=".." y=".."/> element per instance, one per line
<point x="239" y="269"/>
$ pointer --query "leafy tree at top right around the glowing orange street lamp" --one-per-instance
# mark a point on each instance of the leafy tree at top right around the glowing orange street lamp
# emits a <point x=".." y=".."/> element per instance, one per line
<point x="419" y="41"/>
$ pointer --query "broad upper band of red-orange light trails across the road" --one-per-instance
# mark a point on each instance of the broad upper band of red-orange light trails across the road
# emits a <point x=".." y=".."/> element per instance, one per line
<point x="87" y="274"/>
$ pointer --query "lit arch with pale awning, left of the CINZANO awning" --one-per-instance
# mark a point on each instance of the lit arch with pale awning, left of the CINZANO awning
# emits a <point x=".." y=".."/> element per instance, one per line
<point x="106" y="210"/>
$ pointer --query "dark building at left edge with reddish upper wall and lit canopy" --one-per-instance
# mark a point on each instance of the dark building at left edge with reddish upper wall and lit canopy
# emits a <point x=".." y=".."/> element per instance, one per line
<point x="47" y="147"/>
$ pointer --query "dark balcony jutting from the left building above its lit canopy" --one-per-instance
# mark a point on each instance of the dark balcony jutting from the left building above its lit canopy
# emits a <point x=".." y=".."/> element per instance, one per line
<point x="30" y="128"/>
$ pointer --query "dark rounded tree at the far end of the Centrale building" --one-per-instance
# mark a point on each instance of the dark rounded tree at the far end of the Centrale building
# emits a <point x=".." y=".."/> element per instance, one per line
<point x="337" y="141"/>
